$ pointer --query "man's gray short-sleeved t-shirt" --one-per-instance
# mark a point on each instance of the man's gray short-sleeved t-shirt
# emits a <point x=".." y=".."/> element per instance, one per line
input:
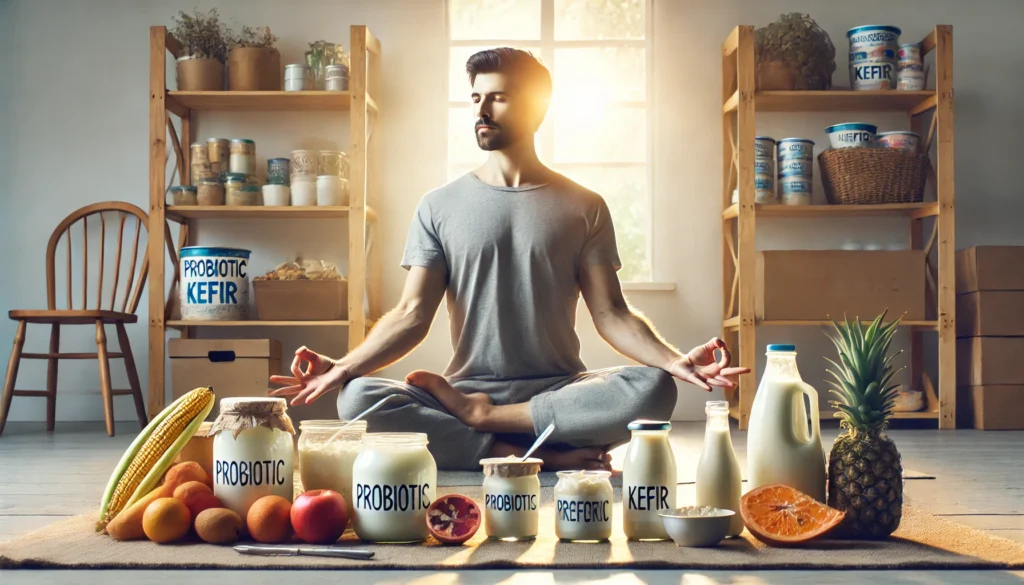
<point x="513" y="259"/>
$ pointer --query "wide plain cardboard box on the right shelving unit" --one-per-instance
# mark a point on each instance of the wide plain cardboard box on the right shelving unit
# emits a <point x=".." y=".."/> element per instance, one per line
<point x="815" y="284"/>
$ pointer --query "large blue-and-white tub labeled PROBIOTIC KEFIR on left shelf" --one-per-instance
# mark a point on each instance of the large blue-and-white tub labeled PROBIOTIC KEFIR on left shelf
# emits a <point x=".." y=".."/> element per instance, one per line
<point x="215" y="284"/>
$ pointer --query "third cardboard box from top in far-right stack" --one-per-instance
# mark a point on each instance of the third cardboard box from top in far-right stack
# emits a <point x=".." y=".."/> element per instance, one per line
<point x="989" y="361"/>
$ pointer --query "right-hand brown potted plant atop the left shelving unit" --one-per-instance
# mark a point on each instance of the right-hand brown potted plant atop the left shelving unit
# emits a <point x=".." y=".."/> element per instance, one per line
<point x="253" y="63"/>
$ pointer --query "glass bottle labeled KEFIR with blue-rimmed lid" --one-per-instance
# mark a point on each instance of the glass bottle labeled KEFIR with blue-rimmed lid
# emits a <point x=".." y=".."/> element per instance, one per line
<point x="649" y="481"/>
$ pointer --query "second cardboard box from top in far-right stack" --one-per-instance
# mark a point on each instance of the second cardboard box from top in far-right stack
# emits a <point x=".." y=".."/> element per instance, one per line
<point x="994" y="314"/>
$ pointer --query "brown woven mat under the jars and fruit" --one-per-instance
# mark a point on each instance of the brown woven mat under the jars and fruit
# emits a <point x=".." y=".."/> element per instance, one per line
<point x="922" y="542"/>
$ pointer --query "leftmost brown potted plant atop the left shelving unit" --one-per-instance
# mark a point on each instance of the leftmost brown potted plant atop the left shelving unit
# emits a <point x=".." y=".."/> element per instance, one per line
<point x="201" y="63"/>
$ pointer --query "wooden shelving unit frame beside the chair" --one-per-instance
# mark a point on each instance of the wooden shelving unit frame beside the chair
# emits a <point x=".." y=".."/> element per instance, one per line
<point x="359" y="102"/>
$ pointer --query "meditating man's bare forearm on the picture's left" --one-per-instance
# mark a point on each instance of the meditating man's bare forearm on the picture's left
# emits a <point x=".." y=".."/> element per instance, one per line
<point x="396" y="335"/>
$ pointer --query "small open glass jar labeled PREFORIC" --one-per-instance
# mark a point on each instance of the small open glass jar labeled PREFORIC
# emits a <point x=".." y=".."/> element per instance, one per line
<point x="583" y="507"/>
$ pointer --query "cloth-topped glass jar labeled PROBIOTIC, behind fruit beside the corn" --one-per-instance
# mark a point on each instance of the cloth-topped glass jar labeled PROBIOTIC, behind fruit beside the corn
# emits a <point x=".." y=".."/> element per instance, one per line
<point x="252" y="452"/>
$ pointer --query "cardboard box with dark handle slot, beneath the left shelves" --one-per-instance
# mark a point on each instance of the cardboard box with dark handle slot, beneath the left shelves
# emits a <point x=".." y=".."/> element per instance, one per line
<point x="233" y="367"/>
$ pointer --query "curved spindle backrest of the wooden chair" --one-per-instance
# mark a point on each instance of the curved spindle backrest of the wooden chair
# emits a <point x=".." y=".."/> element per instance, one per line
<point x="125" y="219"/>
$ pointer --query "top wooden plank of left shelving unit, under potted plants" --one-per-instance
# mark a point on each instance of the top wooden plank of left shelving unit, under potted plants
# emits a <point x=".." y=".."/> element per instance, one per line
<point x="261" y="101"/>
